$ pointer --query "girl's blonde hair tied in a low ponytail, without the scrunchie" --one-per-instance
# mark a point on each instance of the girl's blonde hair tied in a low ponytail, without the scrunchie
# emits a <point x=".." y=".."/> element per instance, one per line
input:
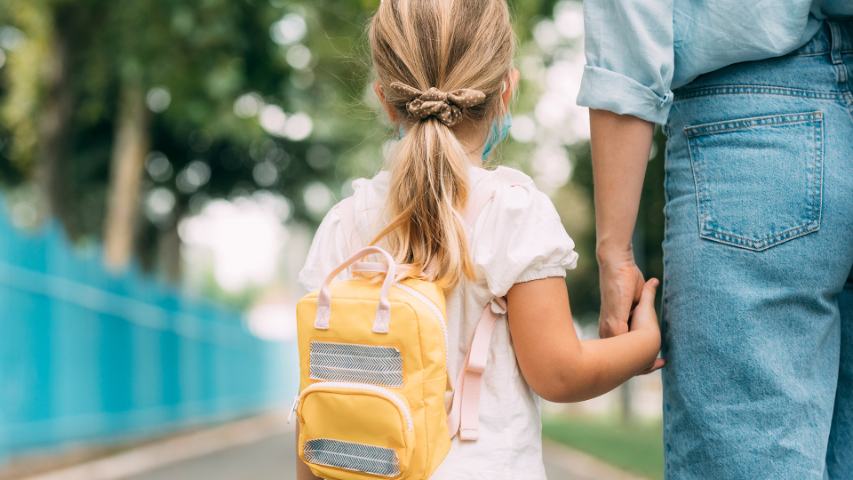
<point x="449" y="45"/>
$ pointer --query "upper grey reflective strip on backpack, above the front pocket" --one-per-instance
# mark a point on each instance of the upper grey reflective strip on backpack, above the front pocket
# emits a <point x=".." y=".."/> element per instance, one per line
<point x="346" y="362"/>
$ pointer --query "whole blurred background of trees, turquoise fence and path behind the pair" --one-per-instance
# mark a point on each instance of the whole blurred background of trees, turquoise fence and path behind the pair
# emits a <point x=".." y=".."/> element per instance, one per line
<point x="163" y="164"/>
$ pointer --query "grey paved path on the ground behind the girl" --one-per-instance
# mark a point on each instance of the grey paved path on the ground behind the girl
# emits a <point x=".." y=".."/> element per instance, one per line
<point x="262" y="448"/>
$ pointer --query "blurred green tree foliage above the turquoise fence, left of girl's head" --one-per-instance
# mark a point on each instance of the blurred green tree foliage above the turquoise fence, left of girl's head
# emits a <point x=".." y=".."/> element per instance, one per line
<point x="204" y="54"/>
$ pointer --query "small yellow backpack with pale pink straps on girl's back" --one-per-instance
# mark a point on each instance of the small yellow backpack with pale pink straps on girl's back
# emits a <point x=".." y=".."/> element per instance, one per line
<point x="373" y="373"/>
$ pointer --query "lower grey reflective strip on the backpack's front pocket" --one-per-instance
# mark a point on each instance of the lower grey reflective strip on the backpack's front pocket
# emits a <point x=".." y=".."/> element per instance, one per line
<point x="352" y="456"/>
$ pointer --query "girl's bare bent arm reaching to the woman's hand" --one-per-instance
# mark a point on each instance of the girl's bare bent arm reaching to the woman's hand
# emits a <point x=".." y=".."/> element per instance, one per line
<point x="560" y="367"/>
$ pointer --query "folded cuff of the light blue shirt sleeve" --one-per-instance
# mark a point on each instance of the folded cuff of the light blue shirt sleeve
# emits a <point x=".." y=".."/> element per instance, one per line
<point x="603" y="89"/>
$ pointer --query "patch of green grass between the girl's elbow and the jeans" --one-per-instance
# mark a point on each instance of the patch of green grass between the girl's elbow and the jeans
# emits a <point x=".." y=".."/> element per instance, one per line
<point x="635" y="447"/>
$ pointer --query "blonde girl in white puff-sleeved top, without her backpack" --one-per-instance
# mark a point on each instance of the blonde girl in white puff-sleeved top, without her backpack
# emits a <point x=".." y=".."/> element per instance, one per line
<point x="445" y="77"/>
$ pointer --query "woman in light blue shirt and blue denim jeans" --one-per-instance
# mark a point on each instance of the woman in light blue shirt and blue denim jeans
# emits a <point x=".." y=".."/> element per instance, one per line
<point x="756" y="101"/>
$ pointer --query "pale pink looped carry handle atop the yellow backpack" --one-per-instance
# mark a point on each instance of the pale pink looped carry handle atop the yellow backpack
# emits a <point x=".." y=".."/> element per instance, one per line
<point x="383" y="311"/>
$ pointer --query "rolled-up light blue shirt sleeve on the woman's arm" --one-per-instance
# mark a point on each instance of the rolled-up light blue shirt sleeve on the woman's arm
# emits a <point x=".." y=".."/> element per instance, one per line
<point x="630" y="58"/>
